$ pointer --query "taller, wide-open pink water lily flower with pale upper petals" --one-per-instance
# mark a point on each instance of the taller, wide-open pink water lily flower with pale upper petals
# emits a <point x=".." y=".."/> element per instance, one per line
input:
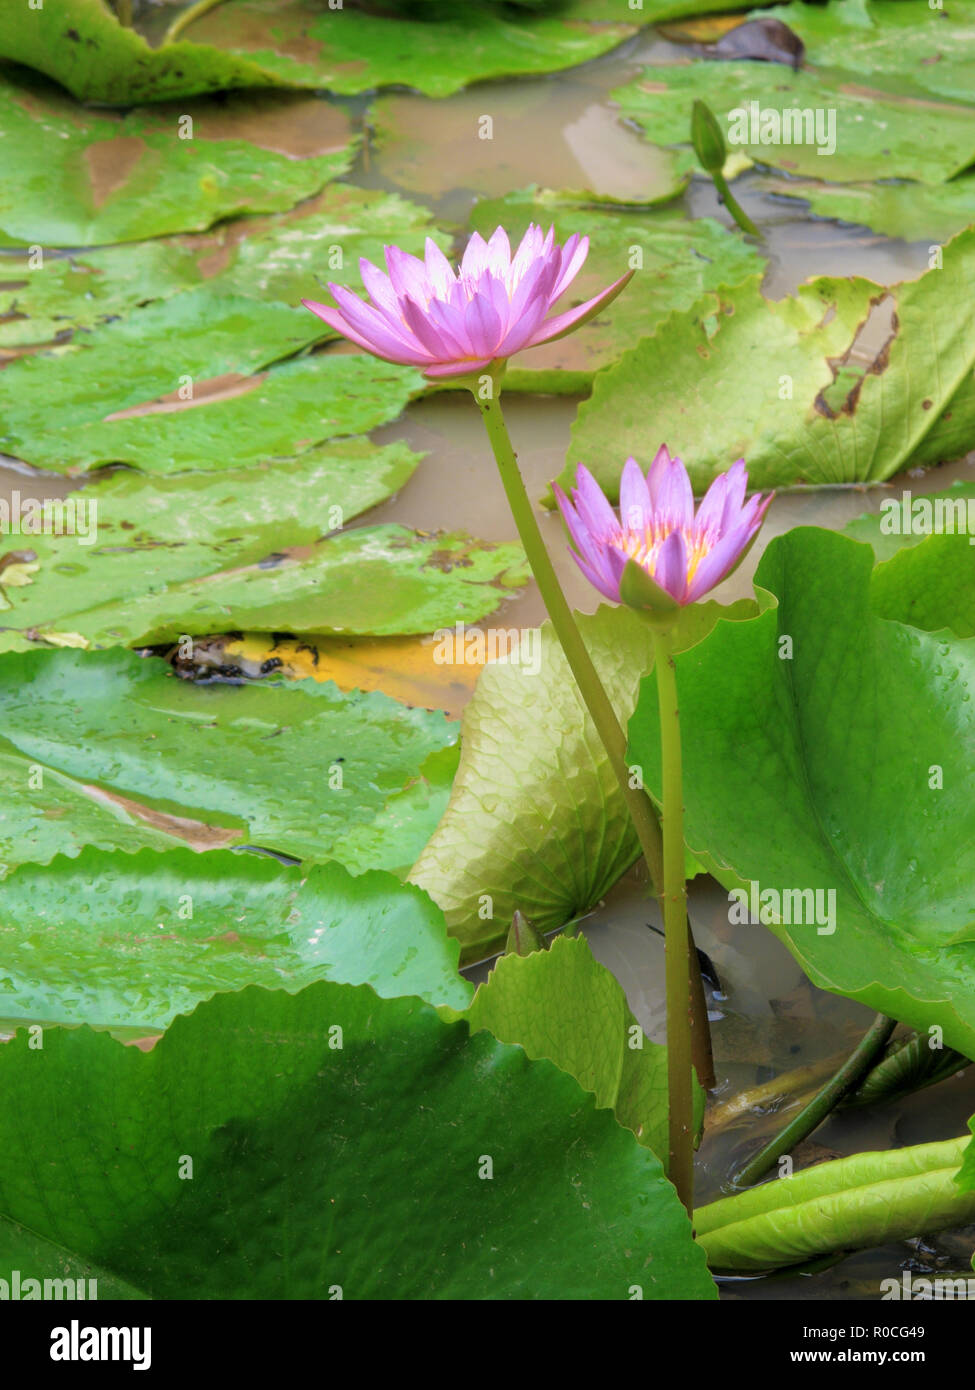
<point x="453" y="325"/>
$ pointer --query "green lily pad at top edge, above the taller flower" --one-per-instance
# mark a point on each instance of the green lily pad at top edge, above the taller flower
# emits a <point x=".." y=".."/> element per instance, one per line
<point x="308" y="45"/>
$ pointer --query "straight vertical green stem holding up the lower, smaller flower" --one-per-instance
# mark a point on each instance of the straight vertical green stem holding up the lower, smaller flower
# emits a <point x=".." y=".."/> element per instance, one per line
<point x="675" y="926"/>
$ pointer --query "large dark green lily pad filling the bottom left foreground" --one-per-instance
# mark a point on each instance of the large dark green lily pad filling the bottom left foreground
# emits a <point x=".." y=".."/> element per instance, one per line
<point x="283" y="1109"/>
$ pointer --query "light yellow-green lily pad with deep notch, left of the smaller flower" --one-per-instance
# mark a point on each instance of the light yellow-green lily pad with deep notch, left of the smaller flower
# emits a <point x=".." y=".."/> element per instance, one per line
<point x="241" y="550"/>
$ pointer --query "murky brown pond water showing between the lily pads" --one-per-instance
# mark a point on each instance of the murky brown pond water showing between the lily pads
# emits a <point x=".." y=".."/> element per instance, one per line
<point x="564" y="133"/>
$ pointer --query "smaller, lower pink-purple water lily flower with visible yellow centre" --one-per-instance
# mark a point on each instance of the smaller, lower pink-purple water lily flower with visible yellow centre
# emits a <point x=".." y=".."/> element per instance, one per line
<point x="684" y="553"/>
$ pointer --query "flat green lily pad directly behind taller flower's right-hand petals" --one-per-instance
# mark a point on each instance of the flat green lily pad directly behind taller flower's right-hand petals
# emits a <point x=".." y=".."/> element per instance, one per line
<point x="678" y="259"/>
